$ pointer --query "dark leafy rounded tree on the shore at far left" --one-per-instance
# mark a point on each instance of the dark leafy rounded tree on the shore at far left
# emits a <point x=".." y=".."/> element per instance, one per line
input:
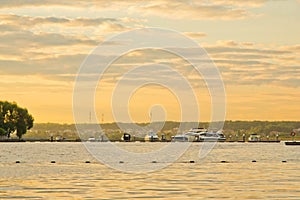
<point x="14" y="118"/>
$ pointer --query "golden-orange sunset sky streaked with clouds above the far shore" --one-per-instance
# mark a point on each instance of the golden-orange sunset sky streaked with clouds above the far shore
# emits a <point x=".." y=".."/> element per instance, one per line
<point x="255" y="45"/>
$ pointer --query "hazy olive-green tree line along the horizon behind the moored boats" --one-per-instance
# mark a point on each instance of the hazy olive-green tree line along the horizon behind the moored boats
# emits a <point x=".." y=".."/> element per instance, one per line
<point x="233" y="128"/>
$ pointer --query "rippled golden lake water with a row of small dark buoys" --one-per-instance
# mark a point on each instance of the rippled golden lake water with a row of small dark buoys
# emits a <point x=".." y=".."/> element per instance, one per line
<point x="70" y="177"/>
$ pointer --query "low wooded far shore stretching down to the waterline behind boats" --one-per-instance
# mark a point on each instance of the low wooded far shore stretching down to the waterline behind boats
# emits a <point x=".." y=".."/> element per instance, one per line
<point x="235" y="131"/>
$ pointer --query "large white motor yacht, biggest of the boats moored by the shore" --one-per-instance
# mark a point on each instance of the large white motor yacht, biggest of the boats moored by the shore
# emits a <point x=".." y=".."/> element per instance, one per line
<point x="202" y="135"/>
